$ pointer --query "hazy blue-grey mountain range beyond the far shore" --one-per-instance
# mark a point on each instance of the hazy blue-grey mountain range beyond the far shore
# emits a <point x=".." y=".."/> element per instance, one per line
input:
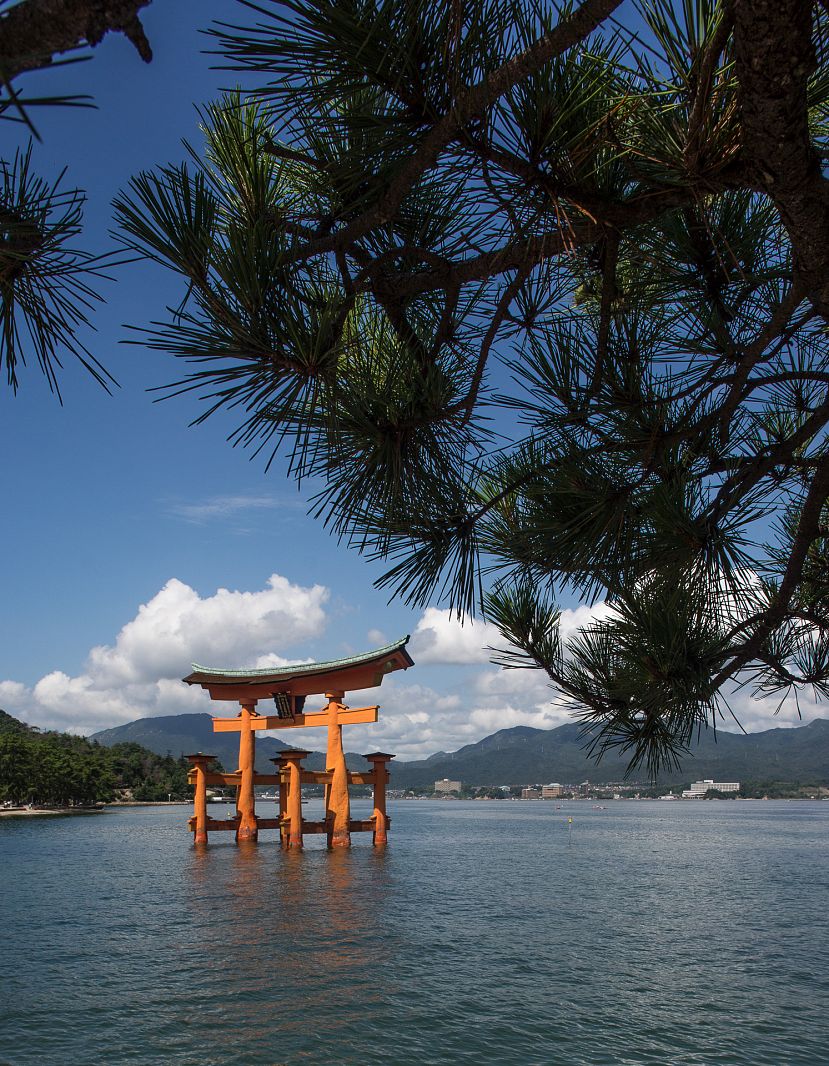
<point x="521" y="755"/>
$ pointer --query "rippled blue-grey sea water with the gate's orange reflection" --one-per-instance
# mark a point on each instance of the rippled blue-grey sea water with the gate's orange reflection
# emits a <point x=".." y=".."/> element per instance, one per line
<point x="655" y="933"/>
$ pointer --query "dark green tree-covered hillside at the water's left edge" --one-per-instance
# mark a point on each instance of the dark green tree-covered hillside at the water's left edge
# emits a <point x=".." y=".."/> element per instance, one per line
<point x="61" y="770"/>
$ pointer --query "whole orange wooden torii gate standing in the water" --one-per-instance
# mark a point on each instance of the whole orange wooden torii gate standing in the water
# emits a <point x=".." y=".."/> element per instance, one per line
<point x="289" y="688"/>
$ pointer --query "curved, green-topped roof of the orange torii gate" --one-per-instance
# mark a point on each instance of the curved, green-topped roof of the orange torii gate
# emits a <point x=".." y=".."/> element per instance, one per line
<point x="366" y="671"/>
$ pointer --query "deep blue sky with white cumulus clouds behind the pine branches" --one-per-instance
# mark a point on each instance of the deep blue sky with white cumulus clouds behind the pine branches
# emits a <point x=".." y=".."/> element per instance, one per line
<point x="112" y="503"/>
